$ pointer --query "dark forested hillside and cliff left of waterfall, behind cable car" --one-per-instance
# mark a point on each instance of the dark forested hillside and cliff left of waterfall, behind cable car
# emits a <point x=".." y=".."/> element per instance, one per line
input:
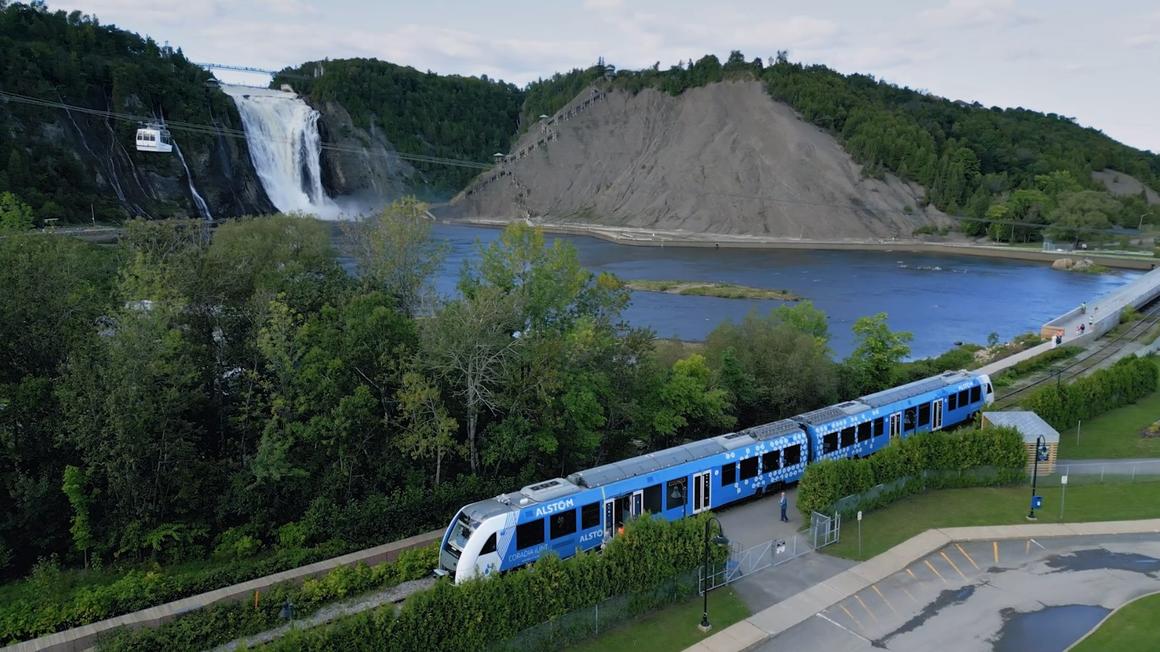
<point x="74" y="166"/>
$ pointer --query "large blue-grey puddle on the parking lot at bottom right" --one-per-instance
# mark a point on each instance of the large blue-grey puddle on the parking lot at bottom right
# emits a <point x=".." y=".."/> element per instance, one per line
<point x="1052" y="629"/>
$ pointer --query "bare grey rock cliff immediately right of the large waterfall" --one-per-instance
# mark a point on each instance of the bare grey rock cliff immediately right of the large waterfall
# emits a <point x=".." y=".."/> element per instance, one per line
<point x="360" y="164"/>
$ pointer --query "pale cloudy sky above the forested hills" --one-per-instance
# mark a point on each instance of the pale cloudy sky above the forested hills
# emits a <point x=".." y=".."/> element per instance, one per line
<point x="1097" y="62"/>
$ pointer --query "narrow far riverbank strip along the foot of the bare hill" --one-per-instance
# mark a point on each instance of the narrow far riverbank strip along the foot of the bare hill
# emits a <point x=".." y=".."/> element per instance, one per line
<point x="655" y="238"/>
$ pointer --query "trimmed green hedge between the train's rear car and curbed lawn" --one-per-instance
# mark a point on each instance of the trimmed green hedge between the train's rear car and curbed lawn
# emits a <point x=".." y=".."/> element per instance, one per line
<point x="948" y="454"/>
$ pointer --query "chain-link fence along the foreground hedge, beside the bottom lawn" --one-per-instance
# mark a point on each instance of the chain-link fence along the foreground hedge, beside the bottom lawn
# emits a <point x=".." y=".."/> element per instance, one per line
<point x="590" y="622"/>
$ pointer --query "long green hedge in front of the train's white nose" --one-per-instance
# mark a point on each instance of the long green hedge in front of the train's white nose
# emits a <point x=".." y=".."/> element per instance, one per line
<point x="480" y="614"/>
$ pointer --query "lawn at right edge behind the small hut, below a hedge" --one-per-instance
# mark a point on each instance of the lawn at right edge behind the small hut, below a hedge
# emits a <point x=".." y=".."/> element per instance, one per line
<point x="1115" y="434"/>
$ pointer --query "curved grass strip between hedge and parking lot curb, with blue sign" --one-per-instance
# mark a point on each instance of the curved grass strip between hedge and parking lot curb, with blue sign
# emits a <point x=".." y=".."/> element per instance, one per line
<point x="995" y="506"/>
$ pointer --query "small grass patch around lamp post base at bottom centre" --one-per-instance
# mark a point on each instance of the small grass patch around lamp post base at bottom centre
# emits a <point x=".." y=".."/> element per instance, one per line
<point x="672" y="629"/>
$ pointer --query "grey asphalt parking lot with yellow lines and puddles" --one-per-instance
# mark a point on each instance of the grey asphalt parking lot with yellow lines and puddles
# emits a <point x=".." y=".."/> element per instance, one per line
<point x="1026" y="596"/>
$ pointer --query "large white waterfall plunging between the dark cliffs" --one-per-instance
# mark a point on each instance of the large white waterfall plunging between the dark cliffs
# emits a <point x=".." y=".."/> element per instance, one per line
<point x="282" y="134"/>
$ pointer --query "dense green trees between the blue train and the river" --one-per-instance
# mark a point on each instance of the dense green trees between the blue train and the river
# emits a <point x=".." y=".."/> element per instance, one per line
<point x="236" y="394"/>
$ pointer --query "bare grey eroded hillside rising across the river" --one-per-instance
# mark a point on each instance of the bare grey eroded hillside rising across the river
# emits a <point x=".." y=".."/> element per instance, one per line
<point x="721" y="160"/>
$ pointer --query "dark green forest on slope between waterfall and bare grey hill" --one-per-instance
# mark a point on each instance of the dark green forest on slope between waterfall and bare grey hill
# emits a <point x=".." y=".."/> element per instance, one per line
<point x="448" y="117"/>
